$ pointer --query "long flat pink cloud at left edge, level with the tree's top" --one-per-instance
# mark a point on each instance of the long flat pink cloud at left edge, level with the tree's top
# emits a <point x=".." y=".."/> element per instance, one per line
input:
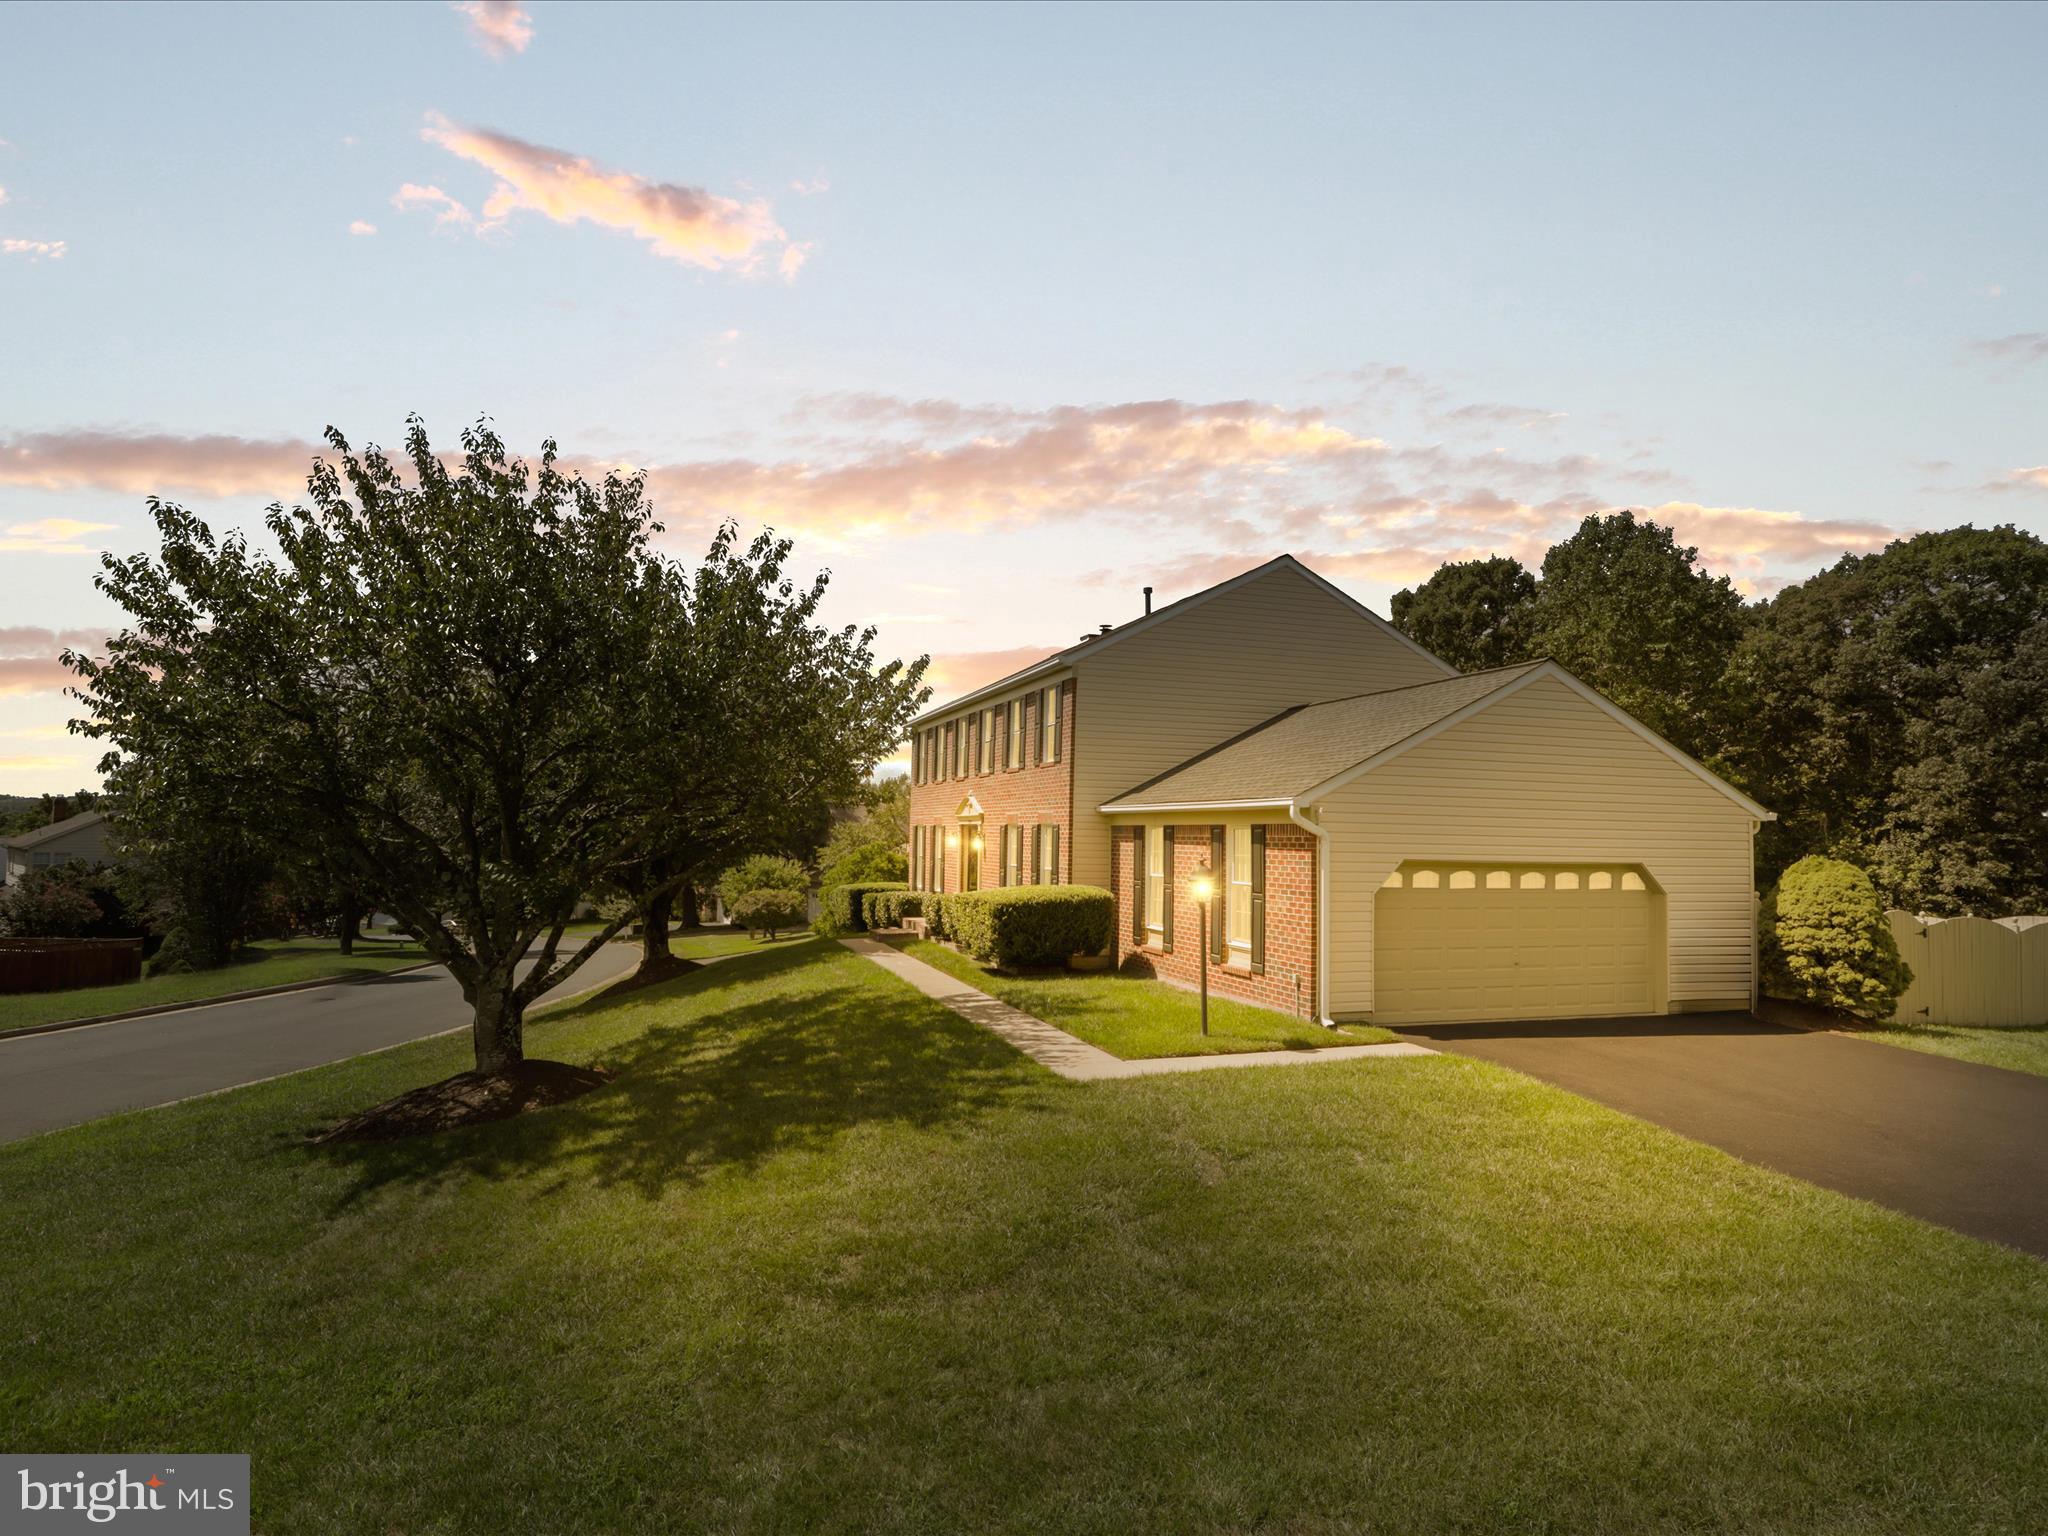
<point x="146" y="464"/>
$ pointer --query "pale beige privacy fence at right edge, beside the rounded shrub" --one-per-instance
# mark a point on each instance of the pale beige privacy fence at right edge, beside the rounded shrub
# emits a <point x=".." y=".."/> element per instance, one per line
<point x="1973" y="970"/>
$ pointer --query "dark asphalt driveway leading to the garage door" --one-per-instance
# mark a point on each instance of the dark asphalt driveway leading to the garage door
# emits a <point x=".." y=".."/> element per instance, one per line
<point x="1943" y="1140"/>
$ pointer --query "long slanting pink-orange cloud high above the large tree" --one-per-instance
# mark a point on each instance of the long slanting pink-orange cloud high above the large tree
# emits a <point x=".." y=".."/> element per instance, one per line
<point x="683" y="224"/>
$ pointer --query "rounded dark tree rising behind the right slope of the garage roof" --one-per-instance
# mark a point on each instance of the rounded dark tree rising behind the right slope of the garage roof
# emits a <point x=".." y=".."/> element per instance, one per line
<point x="1631" y="611"/>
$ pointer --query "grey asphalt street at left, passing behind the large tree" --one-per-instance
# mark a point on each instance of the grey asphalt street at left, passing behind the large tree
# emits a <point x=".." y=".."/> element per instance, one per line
<point x="71" y="1076"/>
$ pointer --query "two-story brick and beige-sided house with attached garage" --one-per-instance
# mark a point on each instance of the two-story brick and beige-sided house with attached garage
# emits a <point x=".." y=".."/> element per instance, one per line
<point x="1390" y="839"/>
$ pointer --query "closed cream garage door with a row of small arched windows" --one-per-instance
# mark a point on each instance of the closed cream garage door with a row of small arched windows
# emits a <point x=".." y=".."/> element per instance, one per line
<point x="1455" y="943"/>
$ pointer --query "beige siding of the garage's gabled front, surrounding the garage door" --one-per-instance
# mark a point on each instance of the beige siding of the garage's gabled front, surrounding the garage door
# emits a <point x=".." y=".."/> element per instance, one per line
<point x="1545" y="777"/>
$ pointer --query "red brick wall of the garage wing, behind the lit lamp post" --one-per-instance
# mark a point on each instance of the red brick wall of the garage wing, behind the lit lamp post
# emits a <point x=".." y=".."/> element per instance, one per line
<point x="1287" y="980"/>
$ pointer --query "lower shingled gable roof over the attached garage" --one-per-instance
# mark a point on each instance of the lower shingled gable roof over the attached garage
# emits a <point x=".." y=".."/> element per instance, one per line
<point x="1312" y="751"/>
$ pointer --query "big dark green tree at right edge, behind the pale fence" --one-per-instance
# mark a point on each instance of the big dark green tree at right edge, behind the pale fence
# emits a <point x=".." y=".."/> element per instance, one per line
<point x="1895" y="710"/>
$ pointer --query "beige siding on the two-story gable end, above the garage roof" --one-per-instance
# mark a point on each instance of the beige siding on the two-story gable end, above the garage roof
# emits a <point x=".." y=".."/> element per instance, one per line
<point x="1197" y="679"/>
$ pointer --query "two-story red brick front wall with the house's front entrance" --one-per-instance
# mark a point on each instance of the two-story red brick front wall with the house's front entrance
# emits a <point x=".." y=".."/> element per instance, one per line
<point x="1037" y="794"/>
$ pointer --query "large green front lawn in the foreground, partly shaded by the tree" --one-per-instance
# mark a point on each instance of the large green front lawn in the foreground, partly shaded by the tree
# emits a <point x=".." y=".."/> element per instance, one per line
<point x="828" y="1258"/>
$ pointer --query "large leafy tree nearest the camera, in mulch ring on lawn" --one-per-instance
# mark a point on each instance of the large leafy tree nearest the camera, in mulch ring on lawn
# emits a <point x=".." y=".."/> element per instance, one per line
<point x="470" y="683"/>
